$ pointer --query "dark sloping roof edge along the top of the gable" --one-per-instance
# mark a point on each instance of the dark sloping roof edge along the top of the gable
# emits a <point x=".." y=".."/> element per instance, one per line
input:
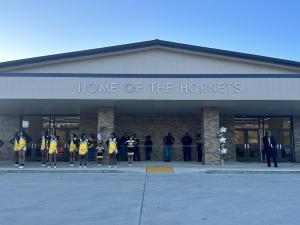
<point x="151" y="43"/>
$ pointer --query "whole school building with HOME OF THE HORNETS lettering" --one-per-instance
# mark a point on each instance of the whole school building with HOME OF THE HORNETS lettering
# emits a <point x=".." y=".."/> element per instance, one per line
<point x="152" y="88"/>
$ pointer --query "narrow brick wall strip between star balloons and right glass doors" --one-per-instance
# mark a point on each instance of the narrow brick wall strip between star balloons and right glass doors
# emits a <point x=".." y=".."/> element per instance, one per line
<point x="228" y="122"/>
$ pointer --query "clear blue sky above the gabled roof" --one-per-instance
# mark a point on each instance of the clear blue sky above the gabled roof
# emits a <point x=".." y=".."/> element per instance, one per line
<point x="31" y="28"/>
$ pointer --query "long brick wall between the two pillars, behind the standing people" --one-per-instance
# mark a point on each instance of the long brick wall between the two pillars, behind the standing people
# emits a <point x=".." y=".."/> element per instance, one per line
<point x="158" y="125"/>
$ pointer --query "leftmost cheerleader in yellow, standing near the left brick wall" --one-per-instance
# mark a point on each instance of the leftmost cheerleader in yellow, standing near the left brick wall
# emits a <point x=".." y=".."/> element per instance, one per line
<point x="20" y="145"/>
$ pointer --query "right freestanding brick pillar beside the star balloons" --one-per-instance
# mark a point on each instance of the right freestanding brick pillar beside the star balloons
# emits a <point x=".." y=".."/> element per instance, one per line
<point x="210" y="126"/>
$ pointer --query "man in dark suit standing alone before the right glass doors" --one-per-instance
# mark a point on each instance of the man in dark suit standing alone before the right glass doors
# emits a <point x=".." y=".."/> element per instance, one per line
<point x="270" y="148"/>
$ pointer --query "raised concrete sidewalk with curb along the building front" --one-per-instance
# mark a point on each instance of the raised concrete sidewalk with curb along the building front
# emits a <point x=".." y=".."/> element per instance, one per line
<point x="140" y="167"/>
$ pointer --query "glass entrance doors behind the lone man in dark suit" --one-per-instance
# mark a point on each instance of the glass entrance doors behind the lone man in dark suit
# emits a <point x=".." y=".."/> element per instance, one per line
<point x="249" y="133"/>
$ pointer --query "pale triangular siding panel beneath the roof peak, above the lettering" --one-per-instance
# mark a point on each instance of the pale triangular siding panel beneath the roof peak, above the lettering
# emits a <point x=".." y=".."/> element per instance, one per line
<point x="156" y="61"/>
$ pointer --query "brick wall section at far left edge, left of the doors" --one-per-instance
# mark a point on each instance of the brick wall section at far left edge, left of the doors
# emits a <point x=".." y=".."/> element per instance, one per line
<point x="9" y="125"/>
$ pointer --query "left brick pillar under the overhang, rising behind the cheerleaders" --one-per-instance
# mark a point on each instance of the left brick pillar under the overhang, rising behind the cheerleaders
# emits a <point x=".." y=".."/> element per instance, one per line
<point x="106" y="120"/>
